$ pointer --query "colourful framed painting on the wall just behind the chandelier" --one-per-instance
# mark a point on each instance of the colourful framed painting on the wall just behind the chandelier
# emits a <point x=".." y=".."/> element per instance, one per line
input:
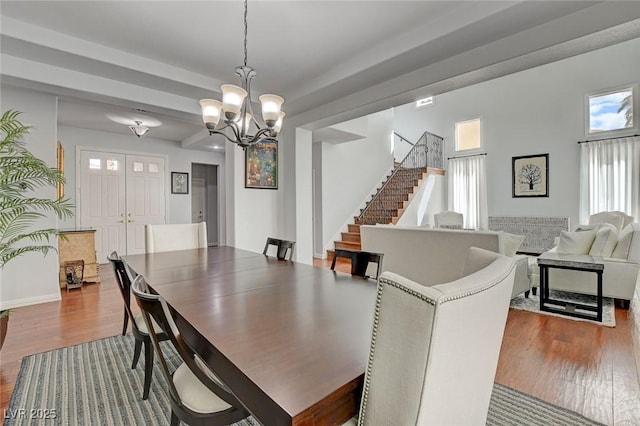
<point x="261" y="166"/>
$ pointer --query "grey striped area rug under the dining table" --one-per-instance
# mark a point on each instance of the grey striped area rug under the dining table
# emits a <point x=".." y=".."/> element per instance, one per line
<point x="93" y="384"/>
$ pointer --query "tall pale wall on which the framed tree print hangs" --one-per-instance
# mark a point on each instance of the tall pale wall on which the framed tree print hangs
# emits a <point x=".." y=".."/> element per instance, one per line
<point x="536" y="111"/>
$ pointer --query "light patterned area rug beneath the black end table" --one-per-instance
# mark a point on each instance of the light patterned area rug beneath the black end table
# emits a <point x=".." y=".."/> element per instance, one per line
<point x="532" y="304"/>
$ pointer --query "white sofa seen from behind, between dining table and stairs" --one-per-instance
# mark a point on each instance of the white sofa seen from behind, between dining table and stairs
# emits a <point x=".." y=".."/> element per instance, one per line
<point x="433" y="256"/>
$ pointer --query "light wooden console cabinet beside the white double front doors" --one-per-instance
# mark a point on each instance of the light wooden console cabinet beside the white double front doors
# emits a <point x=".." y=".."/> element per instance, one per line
<point x="79" y="245"/>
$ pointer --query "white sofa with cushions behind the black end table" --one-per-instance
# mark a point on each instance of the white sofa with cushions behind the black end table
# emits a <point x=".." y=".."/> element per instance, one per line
<point x="621" y="273"/>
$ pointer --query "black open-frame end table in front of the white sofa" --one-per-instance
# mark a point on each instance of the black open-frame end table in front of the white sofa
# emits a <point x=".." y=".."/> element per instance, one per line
<point x="575" y="263"/>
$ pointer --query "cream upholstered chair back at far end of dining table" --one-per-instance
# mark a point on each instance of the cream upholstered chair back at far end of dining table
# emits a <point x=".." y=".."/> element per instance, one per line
<point x="182" y="236"/>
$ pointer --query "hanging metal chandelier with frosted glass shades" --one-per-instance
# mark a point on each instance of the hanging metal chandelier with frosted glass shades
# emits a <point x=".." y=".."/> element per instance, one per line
<point x="236" y="112"/>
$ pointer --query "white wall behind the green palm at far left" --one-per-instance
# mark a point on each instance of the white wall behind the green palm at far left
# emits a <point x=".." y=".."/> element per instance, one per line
<point x="32" y="278"/>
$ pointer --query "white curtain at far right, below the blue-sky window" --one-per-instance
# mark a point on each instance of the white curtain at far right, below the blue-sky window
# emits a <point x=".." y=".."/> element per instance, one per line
<point x="610" y="177"/>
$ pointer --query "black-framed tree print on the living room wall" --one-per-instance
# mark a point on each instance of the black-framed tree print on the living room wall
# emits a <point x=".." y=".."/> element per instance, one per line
<point x="530" y="176"/>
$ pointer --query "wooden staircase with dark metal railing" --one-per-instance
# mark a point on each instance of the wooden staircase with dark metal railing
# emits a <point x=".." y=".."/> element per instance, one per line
<point x="391" y="198"/>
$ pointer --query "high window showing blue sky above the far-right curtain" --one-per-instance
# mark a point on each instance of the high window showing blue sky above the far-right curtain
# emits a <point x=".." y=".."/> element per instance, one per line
<point x="611" y="111"/>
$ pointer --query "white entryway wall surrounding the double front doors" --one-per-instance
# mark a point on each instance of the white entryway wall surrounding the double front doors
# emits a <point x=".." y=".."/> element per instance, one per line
<point x="178" y="160"/>
